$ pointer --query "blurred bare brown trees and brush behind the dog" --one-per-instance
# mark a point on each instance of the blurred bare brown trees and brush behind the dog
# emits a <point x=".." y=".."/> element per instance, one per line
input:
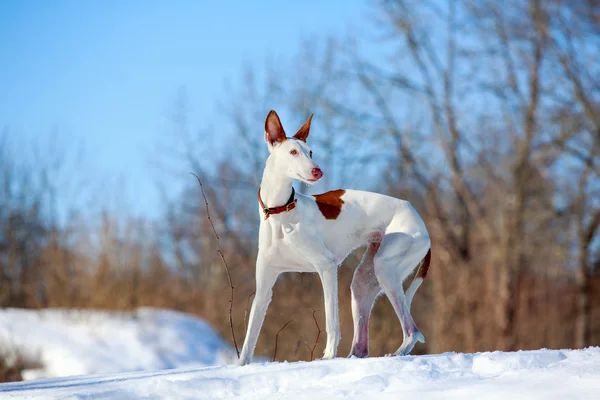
<point x="485" y="115"/>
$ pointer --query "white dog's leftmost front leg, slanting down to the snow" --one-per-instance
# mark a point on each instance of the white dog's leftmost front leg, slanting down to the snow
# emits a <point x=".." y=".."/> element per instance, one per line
<point x="265" y="279"/>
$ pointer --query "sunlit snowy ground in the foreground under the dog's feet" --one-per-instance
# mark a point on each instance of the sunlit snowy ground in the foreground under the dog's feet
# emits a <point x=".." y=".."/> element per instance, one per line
<point x="541" y="374"/>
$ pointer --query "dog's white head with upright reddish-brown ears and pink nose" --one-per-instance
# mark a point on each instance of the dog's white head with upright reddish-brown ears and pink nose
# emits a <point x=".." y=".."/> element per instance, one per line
<point x="292" y="155"/>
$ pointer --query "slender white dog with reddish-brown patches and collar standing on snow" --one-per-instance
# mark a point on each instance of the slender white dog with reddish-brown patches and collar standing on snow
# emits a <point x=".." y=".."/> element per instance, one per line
<point x="316" y="233"/>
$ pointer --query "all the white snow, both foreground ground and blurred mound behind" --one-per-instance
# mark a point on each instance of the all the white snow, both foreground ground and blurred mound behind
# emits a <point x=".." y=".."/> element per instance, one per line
<point x="154" y="340"/>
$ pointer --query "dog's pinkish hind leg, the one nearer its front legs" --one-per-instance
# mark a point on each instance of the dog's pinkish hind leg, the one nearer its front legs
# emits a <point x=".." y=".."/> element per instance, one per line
<point x="365" y="289"/>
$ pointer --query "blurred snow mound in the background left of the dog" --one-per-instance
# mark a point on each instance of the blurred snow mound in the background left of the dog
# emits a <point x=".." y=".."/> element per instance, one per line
<point x="77" y="342"/>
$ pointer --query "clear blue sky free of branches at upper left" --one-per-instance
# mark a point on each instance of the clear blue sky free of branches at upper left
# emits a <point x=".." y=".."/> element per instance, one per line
<point x="104" y="74"/>
